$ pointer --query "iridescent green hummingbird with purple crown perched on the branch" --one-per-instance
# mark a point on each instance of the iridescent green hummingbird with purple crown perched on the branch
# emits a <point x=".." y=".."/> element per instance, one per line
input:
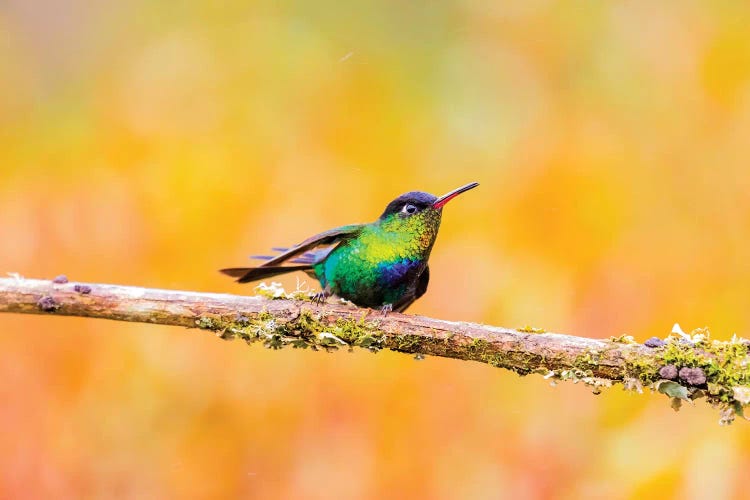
<point x="380" y="265"/>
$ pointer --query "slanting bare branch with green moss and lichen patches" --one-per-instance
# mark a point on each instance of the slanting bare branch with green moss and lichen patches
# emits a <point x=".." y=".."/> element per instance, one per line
<point x="683" y="367"/>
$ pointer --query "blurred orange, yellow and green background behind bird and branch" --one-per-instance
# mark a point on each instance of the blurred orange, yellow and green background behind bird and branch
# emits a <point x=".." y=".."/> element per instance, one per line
<point x="152" y="143"/>
